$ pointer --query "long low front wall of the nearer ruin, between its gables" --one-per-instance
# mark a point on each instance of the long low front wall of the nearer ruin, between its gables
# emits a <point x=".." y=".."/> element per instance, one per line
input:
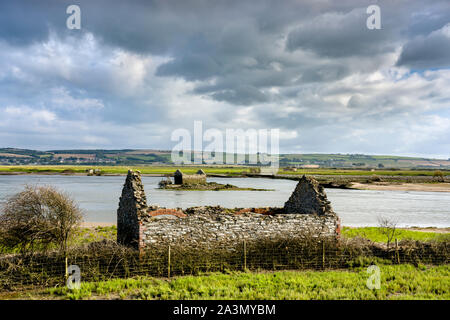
<point x="206" y="225"/>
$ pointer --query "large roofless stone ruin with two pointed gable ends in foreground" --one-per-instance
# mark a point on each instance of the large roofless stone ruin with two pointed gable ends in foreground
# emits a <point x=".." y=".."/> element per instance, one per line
<point x="141" y="226"/>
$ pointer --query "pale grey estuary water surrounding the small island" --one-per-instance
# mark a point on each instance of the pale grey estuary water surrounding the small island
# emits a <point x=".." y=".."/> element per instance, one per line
<point x="99" y="198"/>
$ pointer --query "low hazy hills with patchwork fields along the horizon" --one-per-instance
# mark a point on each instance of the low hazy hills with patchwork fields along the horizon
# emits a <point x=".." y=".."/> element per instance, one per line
<point x="14" y="156"/>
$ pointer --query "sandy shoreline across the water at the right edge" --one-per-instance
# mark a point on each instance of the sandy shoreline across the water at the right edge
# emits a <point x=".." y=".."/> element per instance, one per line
<point x="386" y="186"/>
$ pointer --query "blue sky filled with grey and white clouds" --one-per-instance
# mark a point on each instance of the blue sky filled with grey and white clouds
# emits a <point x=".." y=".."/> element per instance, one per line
<point x="138" y="70"/>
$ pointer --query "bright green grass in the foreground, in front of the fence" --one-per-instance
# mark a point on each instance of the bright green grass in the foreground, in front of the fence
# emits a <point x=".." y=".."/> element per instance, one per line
<point x="397" y="282"/>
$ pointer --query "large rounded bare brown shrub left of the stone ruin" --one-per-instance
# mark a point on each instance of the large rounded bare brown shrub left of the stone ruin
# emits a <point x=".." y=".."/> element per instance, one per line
<point x="37" y="218"/>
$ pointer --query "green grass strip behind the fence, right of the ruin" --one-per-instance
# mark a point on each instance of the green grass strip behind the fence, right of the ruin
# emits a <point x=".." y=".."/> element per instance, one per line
<point x="375" y="234"/>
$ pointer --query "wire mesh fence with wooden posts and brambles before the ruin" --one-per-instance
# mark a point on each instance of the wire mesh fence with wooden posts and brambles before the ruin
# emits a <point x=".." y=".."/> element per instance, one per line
<point x="107" y="260"/>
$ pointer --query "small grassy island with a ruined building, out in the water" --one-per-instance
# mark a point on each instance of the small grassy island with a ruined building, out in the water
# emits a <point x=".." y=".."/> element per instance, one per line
<point x="197" y="182"/>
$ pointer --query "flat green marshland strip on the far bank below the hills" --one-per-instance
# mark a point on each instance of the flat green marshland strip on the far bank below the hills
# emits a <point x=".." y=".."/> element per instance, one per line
<point x="226" y="170"/>
